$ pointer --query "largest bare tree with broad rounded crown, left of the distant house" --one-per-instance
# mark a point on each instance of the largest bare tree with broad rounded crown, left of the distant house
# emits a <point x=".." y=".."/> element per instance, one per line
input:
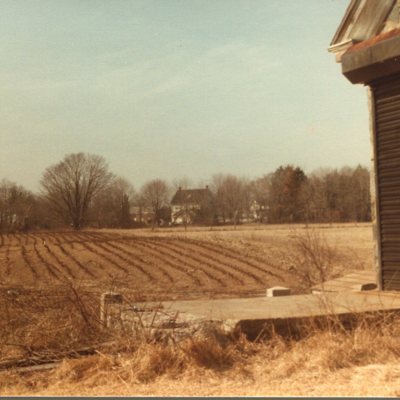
<point x="71" y="185"/>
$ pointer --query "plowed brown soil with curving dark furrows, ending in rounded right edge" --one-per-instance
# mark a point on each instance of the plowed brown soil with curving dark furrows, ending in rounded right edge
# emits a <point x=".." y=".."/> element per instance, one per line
<point x="185" y="267"/>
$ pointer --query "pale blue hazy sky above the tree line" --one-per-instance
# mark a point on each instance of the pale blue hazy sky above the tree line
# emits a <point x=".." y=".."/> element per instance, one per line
<point x="174" y="88"/>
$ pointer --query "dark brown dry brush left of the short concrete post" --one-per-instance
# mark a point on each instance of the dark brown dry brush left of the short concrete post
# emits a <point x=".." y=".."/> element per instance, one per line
<point x="46" y="324"/>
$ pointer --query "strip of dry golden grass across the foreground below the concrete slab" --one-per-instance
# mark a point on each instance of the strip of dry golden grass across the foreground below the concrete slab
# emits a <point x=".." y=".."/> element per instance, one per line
<point x="328" y="354"/>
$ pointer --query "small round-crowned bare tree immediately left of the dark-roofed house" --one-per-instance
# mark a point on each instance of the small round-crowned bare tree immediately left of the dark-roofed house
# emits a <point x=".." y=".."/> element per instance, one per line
<point x="155" y="195"/>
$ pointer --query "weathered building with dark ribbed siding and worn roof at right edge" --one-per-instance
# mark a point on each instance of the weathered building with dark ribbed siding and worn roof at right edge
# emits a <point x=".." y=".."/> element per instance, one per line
<point x="367" y="44"/>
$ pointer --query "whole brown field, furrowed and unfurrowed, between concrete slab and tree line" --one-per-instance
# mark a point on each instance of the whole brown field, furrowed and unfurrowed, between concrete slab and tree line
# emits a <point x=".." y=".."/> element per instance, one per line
<point x="170" y="262"/>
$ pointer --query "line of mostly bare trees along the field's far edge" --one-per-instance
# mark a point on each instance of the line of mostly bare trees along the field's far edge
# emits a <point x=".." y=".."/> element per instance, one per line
<point x="80" y="191"/>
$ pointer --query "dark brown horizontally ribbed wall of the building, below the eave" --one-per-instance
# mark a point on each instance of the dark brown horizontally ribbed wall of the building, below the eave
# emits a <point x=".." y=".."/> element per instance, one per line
<point x="386" y="98"/>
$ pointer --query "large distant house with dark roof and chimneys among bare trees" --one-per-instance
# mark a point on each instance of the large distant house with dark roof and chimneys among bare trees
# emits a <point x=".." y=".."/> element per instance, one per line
<point x="190" y="206"/>
